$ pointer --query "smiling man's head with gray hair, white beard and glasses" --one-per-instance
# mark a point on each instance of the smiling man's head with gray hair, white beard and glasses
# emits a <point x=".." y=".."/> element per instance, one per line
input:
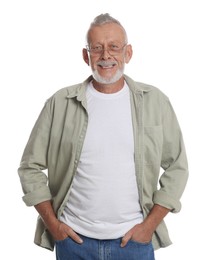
<point x="107" y="50"/>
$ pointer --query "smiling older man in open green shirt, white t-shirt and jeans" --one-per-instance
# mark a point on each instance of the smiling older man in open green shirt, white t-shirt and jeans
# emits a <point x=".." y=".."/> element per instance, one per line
<point x="103" y="142"/>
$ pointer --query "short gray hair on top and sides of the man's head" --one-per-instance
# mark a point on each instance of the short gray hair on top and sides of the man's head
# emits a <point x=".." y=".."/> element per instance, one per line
<point x="105" y="19"/>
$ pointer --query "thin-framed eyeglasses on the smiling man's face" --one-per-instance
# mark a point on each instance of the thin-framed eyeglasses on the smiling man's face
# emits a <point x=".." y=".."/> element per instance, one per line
<point x="112" y="49"/>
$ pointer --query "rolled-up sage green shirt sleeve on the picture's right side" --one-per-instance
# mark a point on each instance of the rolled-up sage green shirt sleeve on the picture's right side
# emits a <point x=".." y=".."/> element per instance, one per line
<point x="173" y="161"/>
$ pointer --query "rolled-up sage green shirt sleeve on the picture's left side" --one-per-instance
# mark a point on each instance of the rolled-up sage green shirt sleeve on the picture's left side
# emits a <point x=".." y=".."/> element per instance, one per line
<point x="33" y="164"/>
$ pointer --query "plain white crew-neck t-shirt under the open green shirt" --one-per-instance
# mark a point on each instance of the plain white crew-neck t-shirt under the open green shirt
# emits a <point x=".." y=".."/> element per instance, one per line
<point x="104" y="199"/>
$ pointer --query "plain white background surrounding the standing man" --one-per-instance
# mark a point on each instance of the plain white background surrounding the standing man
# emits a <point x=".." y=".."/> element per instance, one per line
<point x="40" y="52"/>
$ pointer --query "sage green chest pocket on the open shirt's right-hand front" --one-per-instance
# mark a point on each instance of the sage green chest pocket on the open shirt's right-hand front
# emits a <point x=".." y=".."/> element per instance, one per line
<point x="153" y="141"/>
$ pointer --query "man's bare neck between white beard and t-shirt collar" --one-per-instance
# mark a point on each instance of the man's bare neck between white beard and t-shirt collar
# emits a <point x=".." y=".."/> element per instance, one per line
<point x="109" y="88"/>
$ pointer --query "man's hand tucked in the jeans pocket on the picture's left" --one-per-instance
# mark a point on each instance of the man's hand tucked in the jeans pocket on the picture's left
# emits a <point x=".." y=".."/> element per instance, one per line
<point x="62" y="231"/>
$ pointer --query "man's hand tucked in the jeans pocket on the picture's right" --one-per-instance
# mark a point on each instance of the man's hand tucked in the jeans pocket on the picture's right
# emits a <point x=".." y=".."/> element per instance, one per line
<point x="139" y="233"/>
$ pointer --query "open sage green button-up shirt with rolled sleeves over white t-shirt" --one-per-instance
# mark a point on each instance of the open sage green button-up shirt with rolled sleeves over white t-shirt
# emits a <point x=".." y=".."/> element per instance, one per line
<point x="56" y="143"/>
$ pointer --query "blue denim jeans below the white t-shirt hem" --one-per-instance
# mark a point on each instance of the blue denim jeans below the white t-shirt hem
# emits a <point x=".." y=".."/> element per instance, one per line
<point x="94" y="249"/>
